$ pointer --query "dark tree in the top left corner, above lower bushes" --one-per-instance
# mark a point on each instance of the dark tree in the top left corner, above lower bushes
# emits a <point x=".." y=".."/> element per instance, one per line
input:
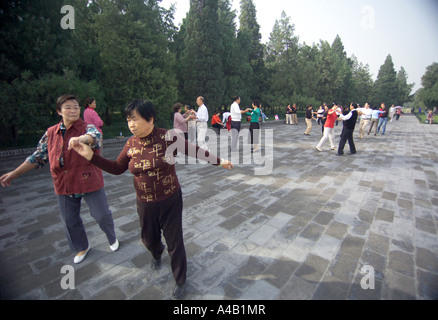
<point x="31" y="38"/>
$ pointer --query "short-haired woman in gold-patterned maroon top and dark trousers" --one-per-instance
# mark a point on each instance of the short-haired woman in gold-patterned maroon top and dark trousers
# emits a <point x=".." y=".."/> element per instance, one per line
<point x="149" y="157"/>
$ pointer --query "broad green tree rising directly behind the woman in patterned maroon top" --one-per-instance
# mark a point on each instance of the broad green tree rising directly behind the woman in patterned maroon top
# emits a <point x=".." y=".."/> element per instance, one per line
<point x="134" y="52"/>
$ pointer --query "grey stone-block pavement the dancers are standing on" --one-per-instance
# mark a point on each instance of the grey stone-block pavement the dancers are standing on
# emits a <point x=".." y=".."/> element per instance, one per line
<point x="302" y="232"/>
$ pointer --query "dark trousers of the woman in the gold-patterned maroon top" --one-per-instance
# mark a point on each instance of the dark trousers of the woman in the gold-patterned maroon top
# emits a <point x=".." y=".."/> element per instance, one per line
<point x="165" y="216"/>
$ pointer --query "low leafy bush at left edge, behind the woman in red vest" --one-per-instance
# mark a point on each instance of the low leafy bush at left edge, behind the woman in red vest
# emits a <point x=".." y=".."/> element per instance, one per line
<point x="34" y="101"/>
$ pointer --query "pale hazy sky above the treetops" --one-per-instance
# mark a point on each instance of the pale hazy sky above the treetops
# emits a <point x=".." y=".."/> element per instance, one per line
<point x="369" y="29"/>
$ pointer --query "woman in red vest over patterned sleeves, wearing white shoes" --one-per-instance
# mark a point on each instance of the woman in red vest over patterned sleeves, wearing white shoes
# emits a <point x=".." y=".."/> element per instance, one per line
<point x="74" y="178"/>
